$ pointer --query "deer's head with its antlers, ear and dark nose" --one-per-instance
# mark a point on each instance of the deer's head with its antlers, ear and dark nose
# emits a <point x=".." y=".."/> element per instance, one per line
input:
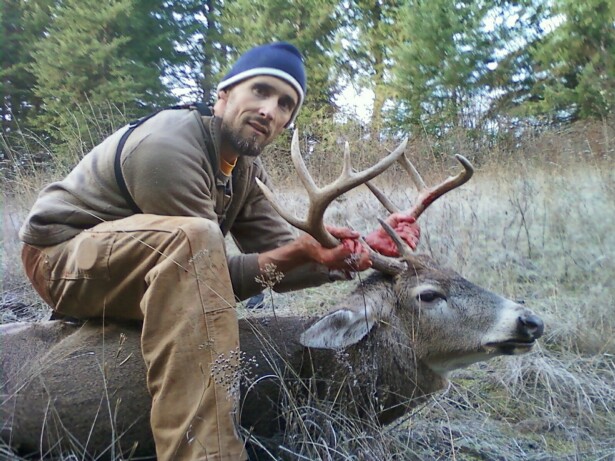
<point x="429" y="304"/>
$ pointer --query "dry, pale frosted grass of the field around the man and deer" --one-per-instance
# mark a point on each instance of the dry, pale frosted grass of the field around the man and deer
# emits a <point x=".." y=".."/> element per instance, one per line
<point x="535" y="223"/>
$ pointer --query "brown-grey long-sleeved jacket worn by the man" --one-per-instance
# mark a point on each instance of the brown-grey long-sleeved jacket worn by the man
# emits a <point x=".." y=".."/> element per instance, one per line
<point x="171" y="167"/>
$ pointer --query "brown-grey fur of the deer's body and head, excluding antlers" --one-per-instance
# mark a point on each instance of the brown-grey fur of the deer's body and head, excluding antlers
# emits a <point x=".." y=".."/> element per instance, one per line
<point x="89" y="380"/>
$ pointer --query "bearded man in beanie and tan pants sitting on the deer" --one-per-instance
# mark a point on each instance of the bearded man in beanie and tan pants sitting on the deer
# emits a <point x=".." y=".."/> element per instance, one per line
<point x="155" y="250"/>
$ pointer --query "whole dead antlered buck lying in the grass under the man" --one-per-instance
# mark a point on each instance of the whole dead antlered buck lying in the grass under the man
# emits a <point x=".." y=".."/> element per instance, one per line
<point x="391" y="344"/>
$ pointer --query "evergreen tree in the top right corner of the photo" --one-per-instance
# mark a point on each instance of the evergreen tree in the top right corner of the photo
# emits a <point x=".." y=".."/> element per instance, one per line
<point x="574" y="64"/>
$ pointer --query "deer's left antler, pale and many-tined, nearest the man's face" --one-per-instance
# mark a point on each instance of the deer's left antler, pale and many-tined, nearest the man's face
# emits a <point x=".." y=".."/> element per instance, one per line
<point x="321" y="198"/>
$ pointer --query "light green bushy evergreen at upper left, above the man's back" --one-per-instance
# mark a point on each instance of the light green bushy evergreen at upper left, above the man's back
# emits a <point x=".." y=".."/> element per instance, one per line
<point x="81" y="68"/>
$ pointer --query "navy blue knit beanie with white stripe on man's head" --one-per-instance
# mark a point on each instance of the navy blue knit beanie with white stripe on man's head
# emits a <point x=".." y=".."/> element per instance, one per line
<point x="280" y="60"/>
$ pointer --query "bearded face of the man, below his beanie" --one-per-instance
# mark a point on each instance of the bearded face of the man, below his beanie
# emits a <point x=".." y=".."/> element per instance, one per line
<point x="254" y="112"/>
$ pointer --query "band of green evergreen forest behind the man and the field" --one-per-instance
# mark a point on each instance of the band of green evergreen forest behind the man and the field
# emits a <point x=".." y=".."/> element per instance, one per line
<point x="485" y="66"/>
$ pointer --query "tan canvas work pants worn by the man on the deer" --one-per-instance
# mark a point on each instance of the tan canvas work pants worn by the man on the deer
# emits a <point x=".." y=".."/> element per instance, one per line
<point x="171" y="272"/>
